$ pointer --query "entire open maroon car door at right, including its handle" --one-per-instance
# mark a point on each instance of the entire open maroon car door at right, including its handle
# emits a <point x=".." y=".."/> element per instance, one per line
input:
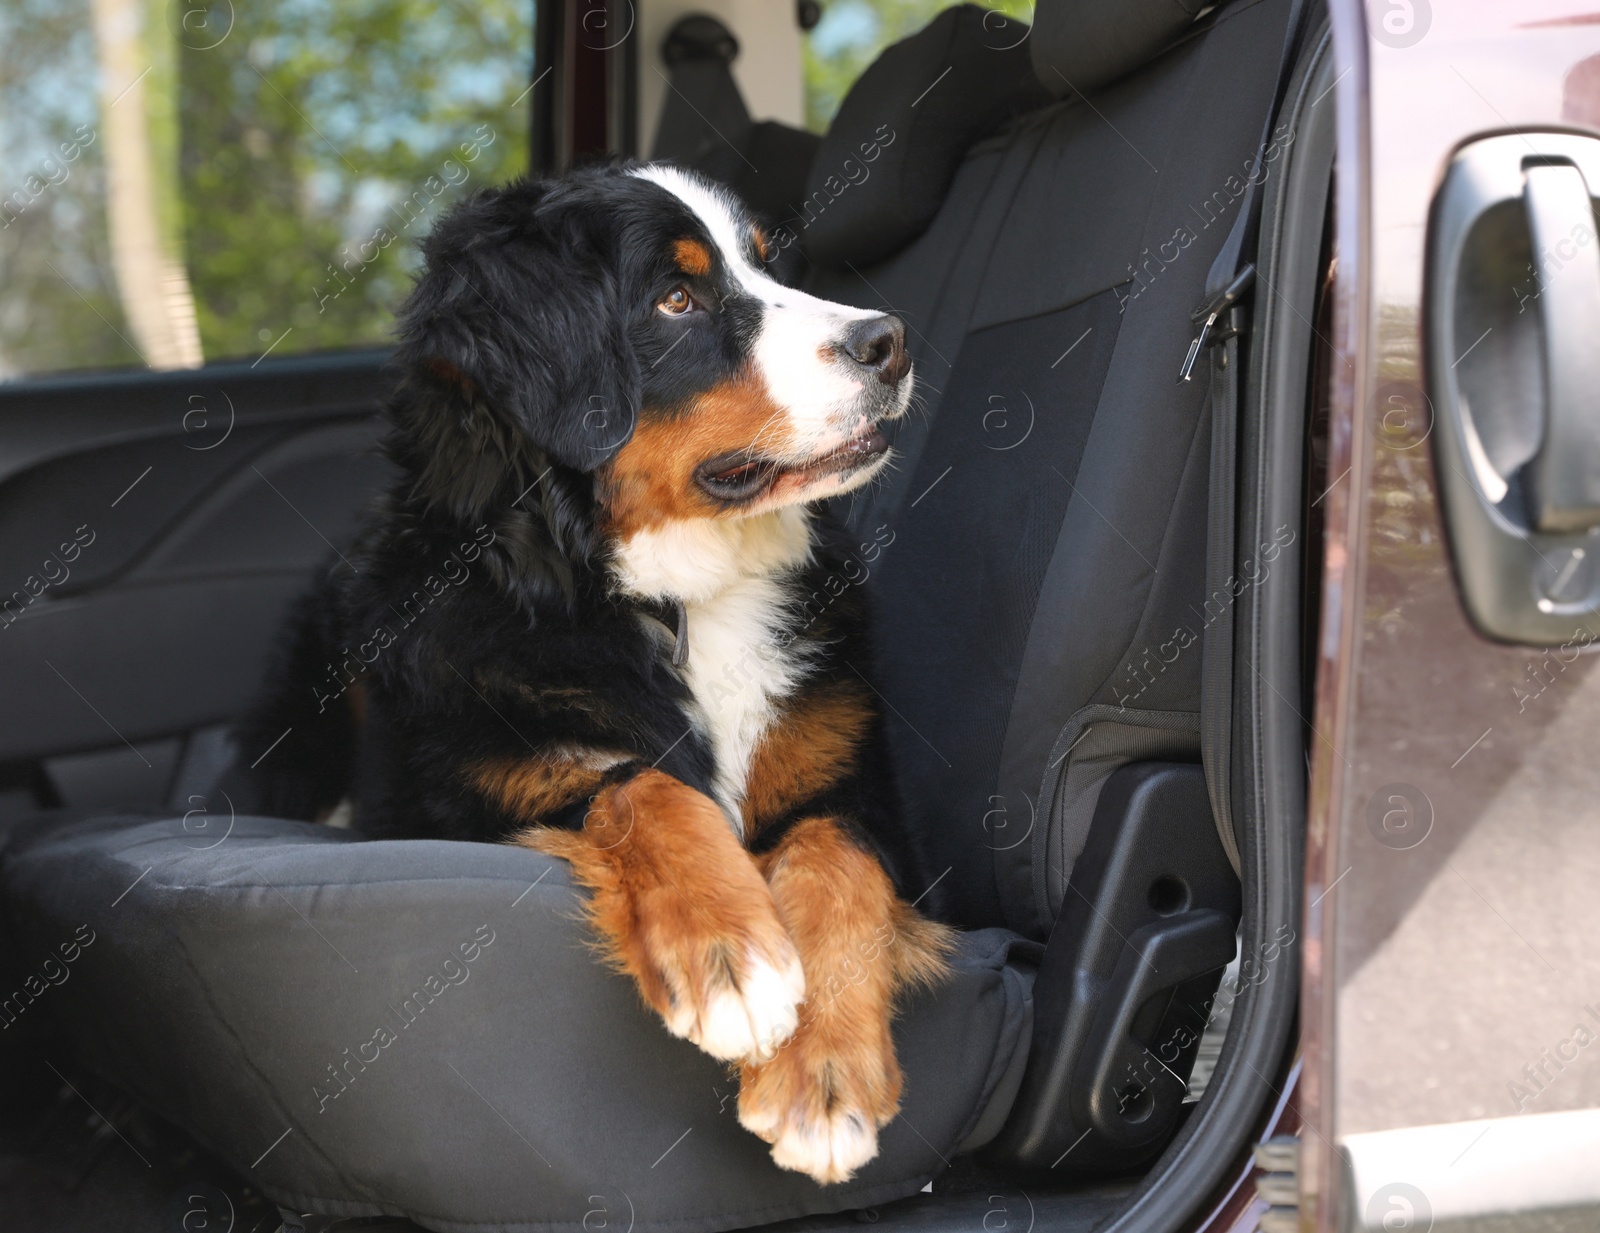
<point x="1452" y="986"/>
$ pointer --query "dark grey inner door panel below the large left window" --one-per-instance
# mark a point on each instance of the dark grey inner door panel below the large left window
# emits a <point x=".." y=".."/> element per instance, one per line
<point x="154" y="529"/>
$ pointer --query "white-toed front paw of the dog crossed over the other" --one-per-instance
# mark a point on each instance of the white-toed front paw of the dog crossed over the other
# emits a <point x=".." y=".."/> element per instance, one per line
<point x="734" y="997"/>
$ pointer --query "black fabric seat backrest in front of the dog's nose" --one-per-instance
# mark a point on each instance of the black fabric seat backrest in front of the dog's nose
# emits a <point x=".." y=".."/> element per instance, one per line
<point x="1039" y="573"/>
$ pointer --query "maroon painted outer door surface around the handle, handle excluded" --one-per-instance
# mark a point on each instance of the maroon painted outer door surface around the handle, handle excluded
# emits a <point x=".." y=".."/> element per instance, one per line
<point x="1455" y="792"/>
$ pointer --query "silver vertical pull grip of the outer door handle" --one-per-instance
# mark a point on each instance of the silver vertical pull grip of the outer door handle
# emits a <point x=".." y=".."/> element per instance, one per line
<point x="1566" y="474"/>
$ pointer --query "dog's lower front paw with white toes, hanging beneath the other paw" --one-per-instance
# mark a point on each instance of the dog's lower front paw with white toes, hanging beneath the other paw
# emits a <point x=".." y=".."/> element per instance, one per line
<point x="822" y="1104"/>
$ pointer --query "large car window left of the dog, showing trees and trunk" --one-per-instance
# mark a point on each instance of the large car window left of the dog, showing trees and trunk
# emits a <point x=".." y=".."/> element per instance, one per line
<point x="201" y="180"/>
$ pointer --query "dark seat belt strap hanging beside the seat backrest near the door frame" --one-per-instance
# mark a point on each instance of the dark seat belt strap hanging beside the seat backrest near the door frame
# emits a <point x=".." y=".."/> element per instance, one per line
<point x="1222" y="319"/>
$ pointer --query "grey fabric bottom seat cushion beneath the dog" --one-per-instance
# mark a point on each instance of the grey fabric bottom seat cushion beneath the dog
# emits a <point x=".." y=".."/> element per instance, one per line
<point x="422" y="1029"/>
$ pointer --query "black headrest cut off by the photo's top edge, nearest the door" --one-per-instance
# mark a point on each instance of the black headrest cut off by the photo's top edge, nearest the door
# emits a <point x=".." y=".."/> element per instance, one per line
<point x="1081" y="46"/>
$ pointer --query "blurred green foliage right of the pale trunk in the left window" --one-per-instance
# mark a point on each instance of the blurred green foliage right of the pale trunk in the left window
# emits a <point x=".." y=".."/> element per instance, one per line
<point x="321" y="142"/>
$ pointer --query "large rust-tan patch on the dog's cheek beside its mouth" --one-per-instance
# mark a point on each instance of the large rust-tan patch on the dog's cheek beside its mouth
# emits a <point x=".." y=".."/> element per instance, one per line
<point x="652" y="479"/>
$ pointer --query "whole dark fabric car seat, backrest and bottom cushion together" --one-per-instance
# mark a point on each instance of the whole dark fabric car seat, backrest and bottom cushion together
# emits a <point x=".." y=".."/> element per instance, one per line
<point x="1031" y="561"/>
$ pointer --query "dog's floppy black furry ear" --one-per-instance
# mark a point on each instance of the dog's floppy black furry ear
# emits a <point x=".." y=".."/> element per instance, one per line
<point x="518" y="308"/>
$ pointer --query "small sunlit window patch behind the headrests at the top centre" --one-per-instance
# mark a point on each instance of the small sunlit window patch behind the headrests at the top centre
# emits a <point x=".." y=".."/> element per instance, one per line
<point x="850" y="36"/>
